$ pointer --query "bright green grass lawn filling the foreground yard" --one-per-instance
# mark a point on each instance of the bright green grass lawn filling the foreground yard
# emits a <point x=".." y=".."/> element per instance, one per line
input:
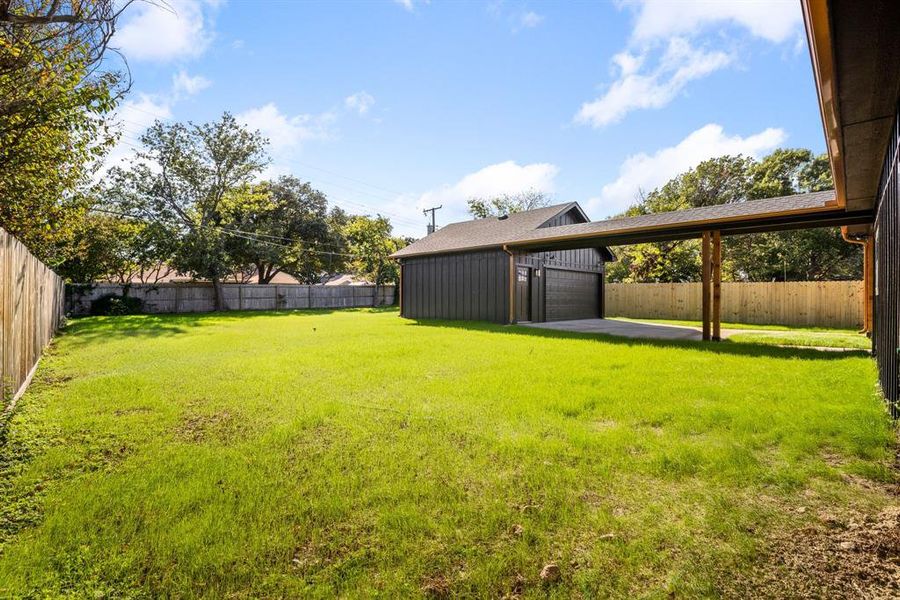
<point x="355" y="453"/>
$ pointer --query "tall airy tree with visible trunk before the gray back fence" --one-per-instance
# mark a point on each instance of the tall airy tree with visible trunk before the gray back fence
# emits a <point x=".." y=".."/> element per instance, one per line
<point x="186" y="179"/>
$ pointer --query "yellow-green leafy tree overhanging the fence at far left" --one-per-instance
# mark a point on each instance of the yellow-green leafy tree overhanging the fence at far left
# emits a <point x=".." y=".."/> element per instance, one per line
<point x="56" y="96"/>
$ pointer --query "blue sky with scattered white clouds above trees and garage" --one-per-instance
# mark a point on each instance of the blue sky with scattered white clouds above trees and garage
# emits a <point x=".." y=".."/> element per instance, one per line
<point x="392" y="107"/>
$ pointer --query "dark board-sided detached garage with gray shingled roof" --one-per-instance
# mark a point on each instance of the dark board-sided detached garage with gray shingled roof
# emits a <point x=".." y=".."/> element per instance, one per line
<point x="466" y="271"/>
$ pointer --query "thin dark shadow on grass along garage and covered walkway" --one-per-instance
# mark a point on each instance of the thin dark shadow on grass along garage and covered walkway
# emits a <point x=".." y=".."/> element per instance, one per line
<point x="724" y="347"/>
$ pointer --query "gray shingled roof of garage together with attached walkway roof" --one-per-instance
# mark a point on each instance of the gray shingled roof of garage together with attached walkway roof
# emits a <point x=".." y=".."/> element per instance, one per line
<point x="524" y="229"/>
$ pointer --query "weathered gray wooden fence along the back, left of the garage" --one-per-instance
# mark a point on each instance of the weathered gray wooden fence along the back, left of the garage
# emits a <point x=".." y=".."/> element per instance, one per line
<point x="200" y="297"/>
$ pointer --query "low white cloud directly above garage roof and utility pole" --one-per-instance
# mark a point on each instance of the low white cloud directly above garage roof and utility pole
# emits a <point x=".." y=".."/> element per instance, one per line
<point x="502" y="178"/>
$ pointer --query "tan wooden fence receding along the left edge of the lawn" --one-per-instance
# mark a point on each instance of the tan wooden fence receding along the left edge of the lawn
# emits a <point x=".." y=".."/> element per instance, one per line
<point x="31" y="310"/>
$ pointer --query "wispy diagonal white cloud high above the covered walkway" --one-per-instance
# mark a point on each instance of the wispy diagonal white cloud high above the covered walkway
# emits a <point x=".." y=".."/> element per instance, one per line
<point x="679" y="65"/>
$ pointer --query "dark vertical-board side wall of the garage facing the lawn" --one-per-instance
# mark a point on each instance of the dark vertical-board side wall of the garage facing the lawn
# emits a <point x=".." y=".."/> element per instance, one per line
<point x="471" y="286"/>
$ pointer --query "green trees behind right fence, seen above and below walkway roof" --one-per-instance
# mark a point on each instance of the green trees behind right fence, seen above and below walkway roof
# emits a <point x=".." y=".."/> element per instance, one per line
<point x="807" y="254"/>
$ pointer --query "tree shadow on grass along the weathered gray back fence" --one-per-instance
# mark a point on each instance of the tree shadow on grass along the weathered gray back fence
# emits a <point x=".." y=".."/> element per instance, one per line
<point x="84" y="330"/>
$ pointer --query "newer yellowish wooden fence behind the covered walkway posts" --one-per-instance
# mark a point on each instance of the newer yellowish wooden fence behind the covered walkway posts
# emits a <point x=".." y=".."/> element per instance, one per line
<point x="797" y="303"/>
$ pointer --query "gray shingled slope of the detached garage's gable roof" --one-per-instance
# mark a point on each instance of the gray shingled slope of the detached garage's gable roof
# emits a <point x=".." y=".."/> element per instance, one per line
<point x="483" y="233"/>
